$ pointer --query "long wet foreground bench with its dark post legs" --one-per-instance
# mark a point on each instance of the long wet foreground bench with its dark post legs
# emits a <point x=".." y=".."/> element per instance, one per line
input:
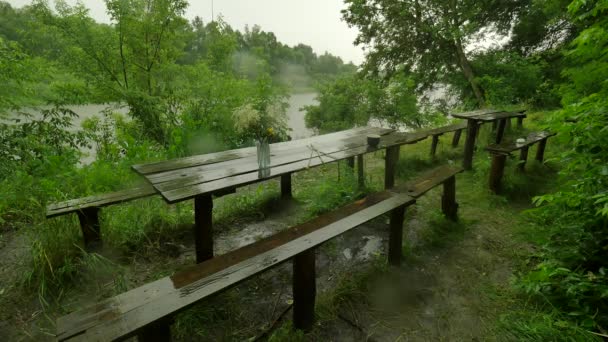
<point x="147" y="310"/>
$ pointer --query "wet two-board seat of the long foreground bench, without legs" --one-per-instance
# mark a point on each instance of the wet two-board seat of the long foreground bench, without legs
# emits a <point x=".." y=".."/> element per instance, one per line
<point x="125" y="314"/>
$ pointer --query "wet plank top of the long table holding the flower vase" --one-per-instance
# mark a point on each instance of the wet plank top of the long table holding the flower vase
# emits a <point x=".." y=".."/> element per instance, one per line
<point x="181" y="179"/>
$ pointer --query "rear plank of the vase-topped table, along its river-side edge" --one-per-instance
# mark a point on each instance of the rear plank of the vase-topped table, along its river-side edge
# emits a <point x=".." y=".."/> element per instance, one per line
<point x="217" y="157"/>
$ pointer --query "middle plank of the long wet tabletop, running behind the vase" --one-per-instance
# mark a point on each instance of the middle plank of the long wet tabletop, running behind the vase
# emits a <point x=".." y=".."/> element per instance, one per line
<point x="207" y="173"/>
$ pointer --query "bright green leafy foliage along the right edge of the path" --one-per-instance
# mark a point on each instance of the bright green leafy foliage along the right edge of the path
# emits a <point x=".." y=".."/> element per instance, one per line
<point x="572" y="275"/>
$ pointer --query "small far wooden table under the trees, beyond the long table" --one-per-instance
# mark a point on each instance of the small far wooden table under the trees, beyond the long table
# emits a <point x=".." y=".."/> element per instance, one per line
<point x="475" y="118"/>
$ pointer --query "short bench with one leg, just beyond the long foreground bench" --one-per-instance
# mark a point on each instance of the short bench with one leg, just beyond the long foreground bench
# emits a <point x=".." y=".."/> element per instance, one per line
<point x="445" y="175"/>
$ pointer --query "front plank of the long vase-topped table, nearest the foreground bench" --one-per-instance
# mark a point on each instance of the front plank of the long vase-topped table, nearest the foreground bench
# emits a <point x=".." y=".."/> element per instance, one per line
<point x="180" y="192"/>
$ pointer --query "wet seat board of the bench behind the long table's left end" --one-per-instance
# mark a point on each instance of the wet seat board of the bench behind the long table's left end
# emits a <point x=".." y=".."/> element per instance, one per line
<point x="97" y="201"/>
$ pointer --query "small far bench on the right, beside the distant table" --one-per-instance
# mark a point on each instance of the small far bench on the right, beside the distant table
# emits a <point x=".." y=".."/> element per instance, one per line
<point x="501" y="151"/>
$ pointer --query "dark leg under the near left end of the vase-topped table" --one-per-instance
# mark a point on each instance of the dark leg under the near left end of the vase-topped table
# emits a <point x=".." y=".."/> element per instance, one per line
<point x="203" y="227"/>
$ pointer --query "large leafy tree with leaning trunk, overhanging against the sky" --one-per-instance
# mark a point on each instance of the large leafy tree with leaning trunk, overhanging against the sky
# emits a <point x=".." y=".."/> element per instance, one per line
<point x="428" y="37"/>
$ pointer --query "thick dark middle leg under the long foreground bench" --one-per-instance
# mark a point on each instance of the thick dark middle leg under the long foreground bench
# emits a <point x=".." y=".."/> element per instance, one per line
<point x="304" y="290"/>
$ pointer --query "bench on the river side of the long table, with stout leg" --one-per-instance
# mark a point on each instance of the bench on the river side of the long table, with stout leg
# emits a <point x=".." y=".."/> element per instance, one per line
<point x="87" y="209"/>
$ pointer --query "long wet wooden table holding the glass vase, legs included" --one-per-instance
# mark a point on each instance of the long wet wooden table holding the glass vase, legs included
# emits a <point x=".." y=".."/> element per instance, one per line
<point x="200" y="177"/>
